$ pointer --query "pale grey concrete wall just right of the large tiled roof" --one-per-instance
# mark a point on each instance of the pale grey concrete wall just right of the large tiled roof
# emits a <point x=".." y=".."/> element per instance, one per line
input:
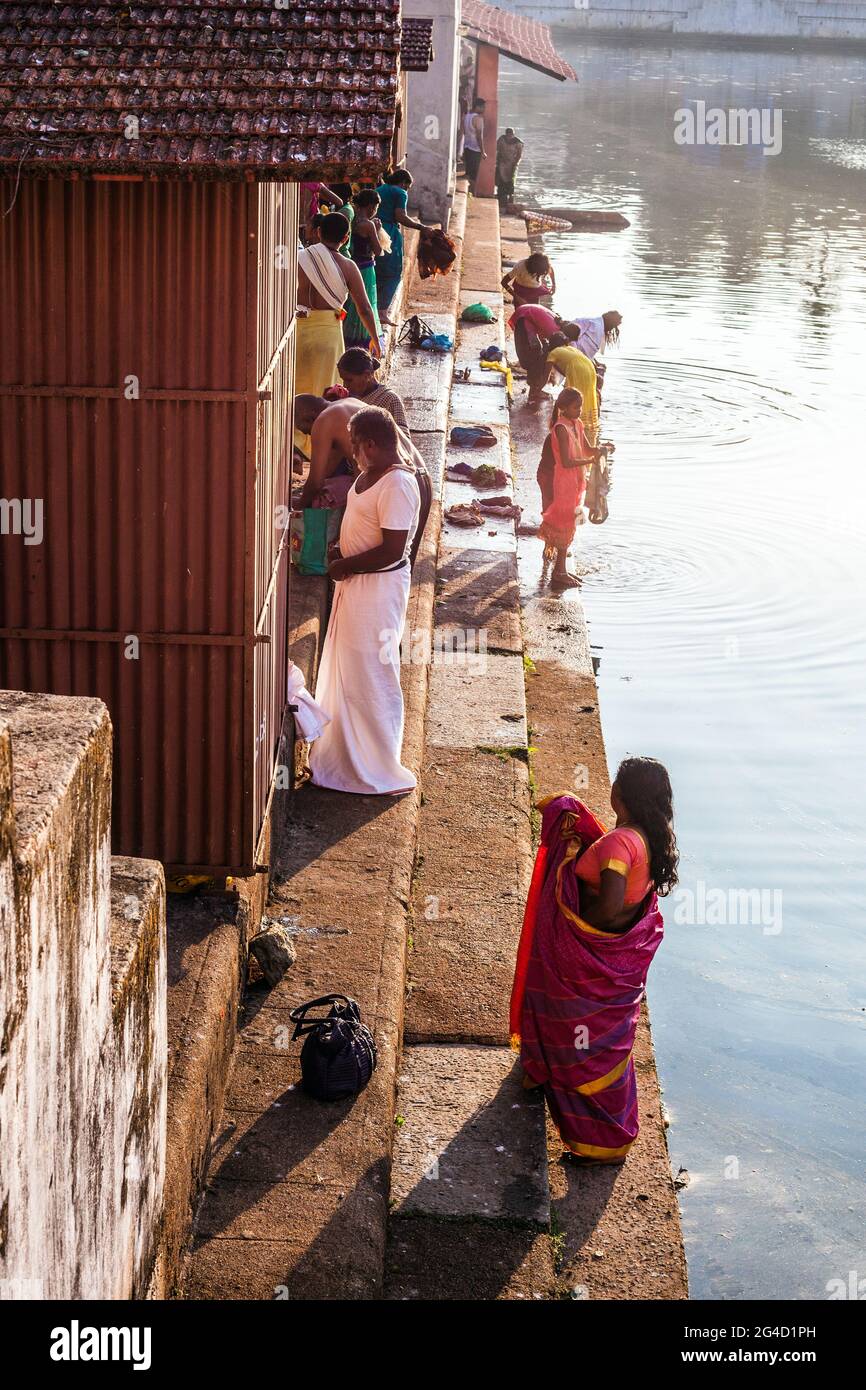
<point x="433" y="113"/>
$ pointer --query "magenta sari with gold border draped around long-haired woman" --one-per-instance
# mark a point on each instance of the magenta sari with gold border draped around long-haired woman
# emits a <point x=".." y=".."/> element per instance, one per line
<point x="578" y="995"/>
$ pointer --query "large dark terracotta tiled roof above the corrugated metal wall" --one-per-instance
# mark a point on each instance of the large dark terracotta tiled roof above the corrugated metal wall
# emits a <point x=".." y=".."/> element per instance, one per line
<point x="219" y="91"/>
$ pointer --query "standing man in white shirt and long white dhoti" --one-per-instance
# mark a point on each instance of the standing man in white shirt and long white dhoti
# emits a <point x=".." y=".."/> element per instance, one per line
<point x="359" y="678"/>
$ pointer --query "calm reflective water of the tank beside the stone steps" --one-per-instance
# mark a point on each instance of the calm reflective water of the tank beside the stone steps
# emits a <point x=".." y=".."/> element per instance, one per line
<point x="728" y="607"/>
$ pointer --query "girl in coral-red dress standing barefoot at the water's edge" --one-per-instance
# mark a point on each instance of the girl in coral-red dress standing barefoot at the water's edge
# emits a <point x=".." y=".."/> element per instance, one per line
<point x="562" y="477"/>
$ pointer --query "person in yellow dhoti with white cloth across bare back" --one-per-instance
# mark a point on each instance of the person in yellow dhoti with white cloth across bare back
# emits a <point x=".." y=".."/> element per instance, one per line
<point x="326" y="280"/>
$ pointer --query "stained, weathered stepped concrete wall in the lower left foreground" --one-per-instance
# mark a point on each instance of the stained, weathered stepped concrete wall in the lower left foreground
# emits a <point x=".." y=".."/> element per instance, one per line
<point x="83" y="1010"/>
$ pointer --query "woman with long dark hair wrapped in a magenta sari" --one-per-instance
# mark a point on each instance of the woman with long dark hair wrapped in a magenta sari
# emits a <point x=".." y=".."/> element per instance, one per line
<point x="591" y="931"/>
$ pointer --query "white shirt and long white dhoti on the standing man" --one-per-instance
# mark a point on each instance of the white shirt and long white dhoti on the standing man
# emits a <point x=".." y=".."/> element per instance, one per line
<point x="359" y="678"/>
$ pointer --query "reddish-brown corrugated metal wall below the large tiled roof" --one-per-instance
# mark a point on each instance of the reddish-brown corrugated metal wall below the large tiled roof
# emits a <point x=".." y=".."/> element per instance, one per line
<point x="129" y="405"/>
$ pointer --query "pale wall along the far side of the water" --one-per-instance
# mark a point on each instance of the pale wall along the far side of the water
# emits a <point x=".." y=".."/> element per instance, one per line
<point x="835" y="20"/>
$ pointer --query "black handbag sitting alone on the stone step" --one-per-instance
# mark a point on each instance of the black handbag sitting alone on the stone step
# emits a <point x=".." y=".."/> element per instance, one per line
<point x="338" y="1057"/>
